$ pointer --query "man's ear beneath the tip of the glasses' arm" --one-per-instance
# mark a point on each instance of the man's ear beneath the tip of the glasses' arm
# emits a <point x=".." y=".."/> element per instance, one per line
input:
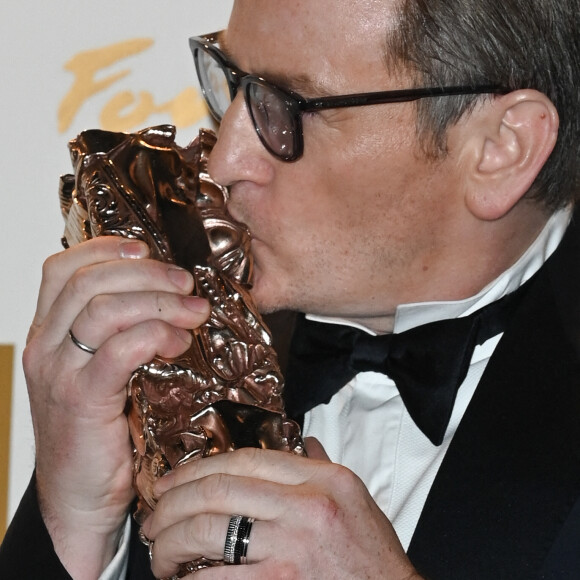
<point x="512" y="139"/>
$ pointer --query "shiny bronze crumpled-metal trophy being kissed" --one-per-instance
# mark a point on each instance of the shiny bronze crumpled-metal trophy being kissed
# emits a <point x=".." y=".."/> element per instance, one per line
<point x="225" y="391"/>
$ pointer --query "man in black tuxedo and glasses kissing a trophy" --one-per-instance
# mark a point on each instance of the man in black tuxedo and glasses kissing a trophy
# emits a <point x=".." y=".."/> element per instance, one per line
<point x="394" y="215"/>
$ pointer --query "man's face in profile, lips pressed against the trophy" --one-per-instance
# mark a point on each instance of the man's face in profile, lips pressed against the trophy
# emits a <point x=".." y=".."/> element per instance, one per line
<point x="356" y="226"/>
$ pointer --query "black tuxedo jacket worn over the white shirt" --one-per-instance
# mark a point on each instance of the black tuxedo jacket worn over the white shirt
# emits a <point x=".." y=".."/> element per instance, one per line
<point x="505" y="503"/>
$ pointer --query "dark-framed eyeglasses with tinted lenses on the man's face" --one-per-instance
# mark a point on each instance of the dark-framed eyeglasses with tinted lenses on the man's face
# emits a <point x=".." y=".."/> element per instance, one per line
<point x="277" y="113"/>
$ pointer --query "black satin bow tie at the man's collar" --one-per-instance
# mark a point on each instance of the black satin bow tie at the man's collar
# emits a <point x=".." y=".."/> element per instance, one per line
<point x="427" y="363"/>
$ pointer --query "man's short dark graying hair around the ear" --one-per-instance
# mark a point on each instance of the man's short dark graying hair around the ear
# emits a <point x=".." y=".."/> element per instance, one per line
<point x="516" y="44"/>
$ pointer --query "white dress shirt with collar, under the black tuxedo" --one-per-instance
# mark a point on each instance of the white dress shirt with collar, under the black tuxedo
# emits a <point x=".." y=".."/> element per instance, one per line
<point x="366" y="427"/>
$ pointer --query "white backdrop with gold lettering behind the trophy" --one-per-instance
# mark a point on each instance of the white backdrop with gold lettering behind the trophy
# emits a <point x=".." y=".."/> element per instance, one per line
<point x="129" y="66"/>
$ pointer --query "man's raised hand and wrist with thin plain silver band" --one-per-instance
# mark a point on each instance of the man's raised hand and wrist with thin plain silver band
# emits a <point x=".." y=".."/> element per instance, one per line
<point x="129" y="308"/>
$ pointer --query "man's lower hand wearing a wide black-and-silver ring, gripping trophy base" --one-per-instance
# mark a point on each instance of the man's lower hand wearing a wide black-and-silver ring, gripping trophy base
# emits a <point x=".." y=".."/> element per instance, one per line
<point x="313" y="519"/>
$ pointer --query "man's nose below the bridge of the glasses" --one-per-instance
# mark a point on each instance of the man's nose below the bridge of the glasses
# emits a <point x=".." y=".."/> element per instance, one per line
<point x="239" y="154"/>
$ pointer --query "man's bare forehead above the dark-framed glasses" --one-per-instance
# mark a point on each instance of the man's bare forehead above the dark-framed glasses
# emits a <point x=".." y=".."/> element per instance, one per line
<point x="329" y="40"/>
